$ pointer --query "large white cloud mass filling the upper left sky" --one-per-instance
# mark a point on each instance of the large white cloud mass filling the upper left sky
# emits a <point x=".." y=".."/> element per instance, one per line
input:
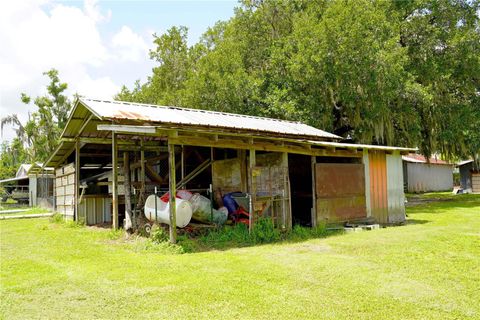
<point x="36" y="36"/>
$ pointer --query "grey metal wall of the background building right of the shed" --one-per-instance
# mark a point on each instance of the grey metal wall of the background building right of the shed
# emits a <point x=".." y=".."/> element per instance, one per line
<point x="422" y="177"/>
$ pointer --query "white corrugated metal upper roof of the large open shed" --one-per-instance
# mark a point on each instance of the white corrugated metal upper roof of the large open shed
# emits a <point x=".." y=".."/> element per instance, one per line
<point x="110" y="109"/>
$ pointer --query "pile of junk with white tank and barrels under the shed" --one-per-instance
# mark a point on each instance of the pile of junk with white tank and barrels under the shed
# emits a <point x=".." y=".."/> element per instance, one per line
<point x="231" y="206"/>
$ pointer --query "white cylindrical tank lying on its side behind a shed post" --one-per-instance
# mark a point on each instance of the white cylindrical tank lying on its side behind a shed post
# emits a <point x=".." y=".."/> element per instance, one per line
<point x="184" y="211"/>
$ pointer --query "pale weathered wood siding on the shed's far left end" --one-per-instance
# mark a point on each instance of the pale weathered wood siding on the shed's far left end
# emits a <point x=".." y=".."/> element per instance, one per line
<point x="65" y="190"/>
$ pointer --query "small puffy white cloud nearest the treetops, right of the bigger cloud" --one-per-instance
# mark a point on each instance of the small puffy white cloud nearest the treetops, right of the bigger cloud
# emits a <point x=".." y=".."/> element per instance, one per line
<point x="129" y="46"/>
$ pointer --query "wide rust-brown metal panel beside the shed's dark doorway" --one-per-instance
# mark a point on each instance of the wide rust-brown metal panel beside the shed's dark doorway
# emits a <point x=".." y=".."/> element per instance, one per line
<point x="340" y="192"/>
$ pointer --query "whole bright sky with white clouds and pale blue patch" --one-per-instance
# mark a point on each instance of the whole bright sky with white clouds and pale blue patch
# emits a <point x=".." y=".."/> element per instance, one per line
<point x="97" y="46"/>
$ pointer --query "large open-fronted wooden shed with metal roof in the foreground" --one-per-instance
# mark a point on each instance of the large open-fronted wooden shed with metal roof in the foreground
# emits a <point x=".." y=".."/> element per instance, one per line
<point x="294" y="173"/>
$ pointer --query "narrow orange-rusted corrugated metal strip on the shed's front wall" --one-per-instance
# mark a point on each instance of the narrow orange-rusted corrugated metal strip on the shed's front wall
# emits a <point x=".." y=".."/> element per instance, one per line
<point x="378" y="186"/>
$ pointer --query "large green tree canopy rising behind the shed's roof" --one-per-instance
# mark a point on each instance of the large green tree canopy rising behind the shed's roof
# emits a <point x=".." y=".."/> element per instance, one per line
<point x="401" y="73"/>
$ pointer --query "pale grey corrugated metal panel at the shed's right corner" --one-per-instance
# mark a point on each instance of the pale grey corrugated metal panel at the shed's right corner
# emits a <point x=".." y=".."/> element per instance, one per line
<point x="396" y="197"/>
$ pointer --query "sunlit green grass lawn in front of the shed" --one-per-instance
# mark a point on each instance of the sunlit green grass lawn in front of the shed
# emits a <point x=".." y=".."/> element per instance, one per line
<point x="427" y="269"/>
